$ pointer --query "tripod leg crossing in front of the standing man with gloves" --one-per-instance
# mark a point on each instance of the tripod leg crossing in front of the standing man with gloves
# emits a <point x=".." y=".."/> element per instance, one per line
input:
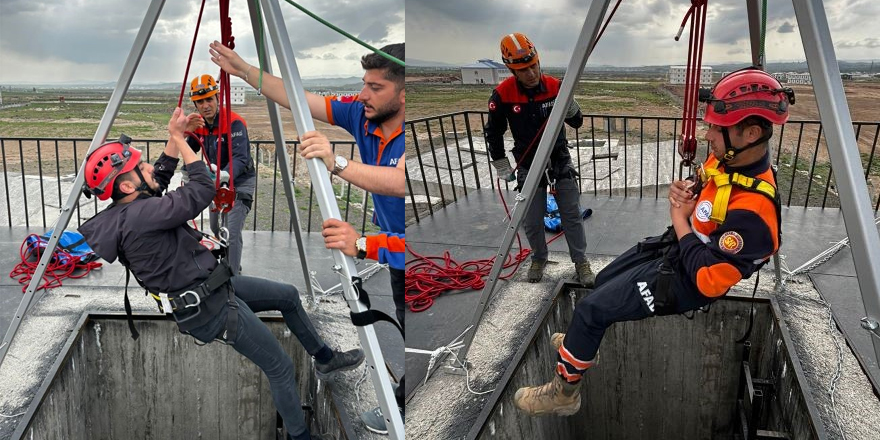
<point x="585" y="41"/>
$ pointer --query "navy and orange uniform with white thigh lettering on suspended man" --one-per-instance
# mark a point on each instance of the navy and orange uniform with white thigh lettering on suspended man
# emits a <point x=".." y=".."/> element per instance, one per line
<point x="707" y="263"/>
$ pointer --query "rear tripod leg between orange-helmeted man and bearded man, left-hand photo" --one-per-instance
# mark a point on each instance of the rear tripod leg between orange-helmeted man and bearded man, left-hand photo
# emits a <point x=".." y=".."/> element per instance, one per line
<point x="282" y="157"/>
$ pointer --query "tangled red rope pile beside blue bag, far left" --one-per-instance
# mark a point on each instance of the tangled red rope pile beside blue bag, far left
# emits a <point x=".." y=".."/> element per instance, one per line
<point x="61" y="266"/>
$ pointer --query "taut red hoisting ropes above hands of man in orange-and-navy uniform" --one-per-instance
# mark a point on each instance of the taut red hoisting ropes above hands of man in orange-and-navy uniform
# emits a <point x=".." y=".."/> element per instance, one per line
<point x="688" y="148"/>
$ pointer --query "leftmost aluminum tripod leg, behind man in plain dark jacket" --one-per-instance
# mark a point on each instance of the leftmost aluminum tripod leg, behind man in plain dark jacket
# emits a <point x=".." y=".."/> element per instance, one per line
<point x="131" y="63"/>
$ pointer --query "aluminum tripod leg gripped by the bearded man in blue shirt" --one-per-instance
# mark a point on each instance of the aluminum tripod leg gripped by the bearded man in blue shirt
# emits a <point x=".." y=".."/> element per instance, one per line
<point x="329" y="209"/>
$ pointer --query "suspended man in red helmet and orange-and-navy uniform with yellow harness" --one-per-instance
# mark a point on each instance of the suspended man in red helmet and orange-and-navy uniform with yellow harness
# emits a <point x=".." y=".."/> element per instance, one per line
<point x="725" y="226"/>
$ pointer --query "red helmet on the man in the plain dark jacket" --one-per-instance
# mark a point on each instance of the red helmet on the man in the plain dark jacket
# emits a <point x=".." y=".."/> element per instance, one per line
<point x="108" y="162"/>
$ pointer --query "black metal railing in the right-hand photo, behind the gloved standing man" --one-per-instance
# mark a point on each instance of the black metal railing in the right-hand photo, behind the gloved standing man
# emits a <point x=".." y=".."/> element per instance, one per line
<point x="617" y="155"/>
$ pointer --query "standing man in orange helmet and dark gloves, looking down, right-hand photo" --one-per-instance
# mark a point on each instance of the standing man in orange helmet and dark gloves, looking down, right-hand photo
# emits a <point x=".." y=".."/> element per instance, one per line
<point x="524" y="102"/>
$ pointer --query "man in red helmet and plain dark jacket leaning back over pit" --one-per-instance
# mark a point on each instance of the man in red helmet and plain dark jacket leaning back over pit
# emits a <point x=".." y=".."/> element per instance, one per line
<point x="149" y="234"/>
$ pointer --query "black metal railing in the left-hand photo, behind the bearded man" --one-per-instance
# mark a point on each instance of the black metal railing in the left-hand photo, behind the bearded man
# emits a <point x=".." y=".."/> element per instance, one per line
<point x="38" y="174"/>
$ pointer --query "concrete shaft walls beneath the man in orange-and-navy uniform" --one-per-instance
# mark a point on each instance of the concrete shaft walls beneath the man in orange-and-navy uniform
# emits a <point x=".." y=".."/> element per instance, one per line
<point x="668" y="377"/>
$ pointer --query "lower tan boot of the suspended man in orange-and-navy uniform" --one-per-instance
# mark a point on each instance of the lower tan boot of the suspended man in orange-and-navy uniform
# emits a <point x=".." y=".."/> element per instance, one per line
<point x="555" y="397"/>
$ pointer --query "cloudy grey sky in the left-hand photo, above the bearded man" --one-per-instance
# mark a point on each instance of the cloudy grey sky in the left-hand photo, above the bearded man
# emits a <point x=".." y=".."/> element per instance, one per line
<point x="99" y="33"/>
